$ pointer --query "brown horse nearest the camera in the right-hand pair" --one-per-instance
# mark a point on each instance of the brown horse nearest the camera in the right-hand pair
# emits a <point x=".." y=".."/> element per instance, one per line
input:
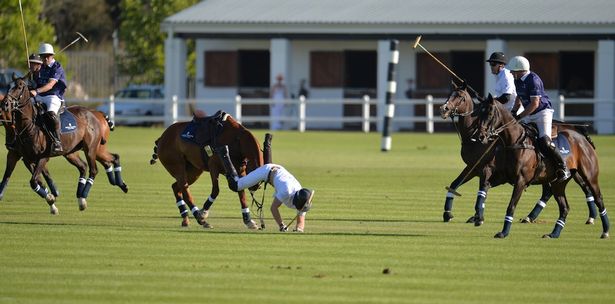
<point x="523" y="165"/>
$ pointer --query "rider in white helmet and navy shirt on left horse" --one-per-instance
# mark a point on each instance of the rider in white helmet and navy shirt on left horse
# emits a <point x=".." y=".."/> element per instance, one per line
<point x="50" y="87"/>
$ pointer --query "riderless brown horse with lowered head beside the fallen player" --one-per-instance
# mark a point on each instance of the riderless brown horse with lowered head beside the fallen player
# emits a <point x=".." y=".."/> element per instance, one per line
<point x="185" y="162"/>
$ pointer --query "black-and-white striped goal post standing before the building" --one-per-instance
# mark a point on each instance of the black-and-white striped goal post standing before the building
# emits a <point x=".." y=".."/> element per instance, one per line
<point x="389" y="97"/>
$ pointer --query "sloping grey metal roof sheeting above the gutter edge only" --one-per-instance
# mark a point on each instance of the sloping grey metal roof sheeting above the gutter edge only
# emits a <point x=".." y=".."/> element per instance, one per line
<point x="401" y="12"/>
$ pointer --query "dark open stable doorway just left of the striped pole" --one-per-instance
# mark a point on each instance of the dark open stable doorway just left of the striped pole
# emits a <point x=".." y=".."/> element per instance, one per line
<point x="360" y="78"/>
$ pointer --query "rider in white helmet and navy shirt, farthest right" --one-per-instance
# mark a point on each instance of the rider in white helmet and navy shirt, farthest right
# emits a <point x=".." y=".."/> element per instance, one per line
<point x="531" y="94"/>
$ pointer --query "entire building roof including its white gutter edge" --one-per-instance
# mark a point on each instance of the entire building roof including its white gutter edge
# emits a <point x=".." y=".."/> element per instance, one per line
<point x="394" y="17"/>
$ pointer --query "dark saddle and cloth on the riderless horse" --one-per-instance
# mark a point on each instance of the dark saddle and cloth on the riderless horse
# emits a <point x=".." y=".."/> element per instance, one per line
<point x="203" y="131"/>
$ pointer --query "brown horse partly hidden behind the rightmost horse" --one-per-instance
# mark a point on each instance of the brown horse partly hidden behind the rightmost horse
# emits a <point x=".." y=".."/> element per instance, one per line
<point x="461" y="105"/>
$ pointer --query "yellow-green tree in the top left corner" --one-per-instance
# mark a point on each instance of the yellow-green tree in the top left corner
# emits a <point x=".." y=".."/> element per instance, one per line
<point x="12" y="39"/>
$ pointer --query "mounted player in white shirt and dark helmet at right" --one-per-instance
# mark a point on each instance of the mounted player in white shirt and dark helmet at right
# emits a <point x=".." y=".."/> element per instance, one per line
<point x="504" y="89"/>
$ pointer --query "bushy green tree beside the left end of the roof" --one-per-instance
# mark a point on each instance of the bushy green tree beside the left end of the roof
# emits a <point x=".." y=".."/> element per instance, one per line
<point x="142" y="38"/>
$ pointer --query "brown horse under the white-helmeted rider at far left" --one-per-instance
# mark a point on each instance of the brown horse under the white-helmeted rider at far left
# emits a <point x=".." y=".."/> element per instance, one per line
<point x="88" y="136"/>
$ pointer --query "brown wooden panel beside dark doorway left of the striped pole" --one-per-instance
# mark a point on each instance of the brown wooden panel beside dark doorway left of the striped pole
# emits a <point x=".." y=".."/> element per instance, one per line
<point x="326" y="69"/>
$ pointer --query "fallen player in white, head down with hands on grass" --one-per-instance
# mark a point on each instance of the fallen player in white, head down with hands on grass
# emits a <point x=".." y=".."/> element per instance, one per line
<point x="288" y="190"/>
